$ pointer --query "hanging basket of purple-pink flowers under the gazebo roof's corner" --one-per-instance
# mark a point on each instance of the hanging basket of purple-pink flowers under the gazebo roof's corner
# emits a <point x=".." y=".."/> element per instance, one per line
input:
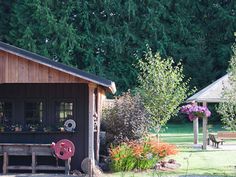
<point x="195" y="111"/>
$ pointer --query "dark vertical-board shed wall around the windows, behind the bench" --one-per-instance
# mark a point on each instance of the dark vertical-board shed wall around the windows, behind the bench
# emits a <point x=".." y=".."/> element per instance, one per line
<point x="49" y="93"/>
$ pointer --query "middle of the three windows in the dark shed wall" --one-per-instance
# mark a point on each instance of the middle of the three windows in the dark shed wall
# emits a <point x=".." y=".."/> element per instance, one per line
<point x="34" y="111"/>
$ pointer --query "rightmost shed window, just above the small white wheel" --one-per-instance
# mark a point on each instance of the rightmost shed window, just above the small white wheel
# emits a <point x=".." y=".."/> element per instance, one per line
<point x="64" y="110"/>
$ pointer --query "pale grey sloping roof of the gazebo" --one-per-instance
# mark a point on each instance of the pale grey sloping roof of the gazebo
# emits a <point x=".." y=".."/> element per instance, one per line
<point x="213" y="92"/>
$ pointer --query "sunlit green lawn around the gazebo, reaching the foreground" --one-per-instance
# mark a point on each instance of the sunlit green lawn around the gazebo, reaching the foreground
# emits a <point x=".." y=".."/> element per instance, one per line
<point x="193" y="161"/>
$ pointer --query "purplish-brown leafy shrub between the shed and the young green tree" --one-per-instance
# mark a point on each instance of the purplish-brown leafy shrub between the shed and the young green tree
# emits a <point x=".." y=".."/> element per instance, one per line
<point x="126" y="121"/>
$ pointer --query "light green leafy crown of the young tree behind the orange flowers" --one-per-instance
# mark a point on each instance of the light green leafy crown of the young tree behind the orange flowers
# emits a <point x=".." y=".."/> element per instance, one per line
<point x="162" y="87"/>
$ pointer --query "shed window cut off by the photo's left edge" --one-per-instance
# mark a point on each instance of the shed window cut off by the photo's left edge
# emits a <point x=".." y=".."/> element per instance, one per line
<point x="5" y="111"/>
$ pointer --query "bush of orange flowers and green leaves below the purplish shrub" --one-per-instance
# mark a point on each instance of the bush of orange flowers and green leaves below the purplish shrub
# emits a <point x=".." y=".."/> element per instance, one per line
<point x="139" y="155"/>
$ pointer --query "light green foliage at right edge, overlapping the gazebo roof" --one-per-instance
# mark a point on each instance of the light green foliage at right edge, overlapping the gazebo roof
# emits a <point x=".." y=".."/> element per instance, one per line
<point x="228" y="109"/>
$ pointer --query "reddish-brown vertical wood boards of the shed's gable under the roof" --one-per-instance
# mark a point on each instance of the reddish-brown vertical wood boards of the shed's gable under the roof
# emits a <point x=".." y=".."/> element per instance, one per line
<point x="14" y="69"/>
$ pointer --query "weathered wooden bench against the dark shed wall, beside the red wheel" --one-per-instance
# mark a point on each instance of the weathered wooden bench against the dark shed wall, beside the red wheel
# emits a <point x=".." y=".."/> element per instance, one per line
<point x="33" y="150"/>
